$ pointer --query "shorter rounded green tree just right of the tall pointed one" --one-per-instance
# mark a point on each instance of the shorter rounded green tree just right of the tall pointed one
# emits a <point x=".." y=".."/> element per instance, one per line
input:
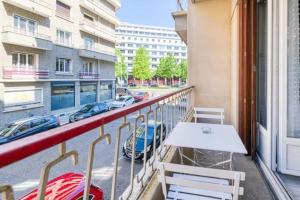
<point x="166" y="67"/>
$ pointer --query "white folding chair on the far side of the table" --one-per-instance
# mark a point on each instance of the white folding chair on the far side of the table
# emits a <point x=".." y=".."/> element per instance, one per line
<point x="213" y="114"/>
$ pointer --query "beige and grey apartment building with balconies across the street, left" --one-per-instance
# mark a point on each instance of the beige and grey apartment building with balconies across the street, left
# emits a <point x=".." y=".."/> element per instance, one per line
<point x="55" y="55"/>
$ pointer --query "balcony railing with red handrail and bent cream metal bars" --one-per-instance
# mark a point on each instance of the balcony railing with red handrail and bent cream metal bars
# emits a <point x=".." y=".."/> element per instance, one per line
<point x="167" y="109"/>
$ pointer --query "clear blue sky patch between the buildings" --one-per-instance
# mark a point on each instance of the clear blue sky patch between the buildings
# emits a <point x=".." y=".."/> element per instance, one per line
<point x="148" y="12"/>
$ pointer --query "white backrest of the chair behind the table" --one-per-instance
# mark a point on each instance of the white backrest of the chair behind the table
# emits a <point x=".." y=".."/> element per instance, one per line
<point x="209" y="113"/>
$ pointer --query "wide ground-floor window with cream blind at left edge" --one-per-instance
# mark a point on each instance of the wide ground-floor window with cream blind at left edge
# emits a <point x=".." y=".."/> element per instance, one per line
<point x="20" y="98"/>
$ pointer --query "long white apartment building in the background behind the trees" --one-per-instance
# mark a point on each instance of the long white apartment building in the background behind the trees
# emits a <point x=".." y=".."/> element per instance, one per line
<point x="159" y="41"/>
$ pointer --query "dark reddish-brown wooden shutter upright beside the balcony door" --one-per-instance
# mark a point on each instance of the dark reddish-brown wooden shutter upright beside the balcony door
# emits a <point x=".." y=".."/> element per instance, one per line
<point x="247" y="74"/>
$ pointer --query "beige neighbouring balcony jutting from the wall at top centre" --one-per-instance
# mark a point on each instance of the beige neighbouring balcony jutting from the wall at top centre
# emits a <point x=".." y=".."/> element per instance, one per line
<point x="180" y="18"/>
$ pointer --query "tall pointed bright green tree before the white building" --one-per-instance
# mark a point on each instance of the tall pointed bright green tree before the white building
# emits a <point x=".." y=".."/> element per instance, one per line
<point x="141" y="65"/>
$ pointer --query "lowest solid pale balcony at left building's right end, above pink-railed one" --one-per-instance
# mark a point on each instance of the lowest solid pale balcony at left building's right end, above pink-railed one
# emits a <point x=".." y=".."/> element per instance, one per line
<point x="95" y="53"/>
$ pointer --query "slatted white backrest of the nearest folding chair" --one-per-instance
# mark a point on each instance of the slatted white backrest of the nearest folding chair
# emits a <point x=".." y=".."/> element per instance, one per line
<point x="234" y="189"/>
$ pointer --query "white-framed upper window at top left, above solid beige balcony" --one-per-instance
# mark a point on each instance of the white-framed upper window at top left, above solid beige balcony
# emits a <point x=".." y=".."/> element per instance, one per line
<point x="24" y="25"/>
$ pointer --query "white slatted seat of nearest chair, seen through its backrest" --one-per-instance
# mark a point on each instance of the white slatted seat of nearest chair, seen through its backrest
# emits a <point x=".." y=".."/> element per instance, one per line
<point x="180" y="192"/>
